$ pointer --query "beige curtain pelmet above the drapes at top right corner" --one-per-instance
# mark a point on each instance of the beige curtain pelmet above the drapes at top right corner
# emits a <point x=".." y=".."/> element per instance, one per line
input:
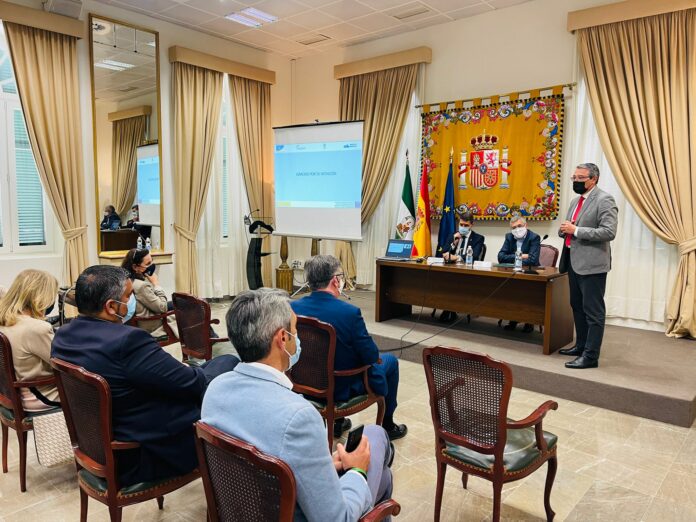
<point x="623" y="11"/>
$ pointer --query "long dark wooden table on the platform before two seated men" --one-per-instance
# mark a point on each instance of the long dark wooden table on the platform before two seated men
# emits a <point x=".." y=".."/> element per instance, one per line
<point x="497" y="292"/>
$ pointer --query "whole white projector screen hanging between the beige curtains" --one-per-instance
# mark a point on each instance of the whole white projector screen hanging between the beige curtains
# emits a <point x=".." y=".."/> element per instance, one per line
<point x="318" y="180"/>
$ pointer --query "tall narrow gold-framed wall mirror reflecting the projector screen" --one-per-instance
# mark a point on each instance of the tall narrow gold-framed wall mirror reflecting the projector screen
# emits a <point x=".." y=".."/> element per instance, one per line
<point x="127" y="140"/>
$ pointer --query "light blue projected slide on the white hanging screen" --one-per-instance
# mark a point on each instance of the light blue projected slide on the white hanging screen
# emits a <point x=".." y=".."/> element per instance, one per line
<point x="318" y="175"/>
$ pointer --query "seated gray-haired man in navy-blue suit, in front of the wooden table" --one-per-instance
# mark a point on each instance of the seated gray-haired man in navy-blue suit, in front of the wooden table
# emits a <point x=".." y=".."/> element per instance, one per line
<point x="354" y="346"/>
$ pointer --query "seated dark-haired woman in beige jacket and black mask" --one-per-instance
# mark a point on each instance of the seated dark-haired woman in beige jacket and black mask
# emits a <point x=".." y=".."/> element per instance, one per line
<point x="150" y="298"/>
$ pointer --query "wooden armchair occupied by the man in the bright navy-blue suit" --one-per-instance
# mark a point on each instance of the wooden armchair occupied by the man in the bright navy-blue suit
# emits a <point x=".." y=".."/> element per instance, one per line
<point x="314" y="376"/>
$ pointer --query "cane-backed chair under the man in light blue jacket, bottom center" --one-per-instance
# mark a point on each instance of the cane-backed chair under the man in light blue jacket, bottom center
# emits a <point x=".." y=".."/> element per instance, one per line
<point x="243" y="484"/>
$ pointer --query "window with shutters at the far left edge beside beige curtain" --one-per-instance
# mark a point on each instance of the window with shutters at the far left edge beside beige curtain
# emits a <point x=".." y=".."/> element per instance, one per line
<point x="23" y="204"/>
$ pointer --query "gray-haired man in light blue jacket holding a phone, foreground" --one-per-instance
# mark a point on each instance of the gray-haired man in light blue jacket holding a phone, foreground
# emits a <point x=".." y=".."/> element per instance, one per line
<point x="255" y="403"/>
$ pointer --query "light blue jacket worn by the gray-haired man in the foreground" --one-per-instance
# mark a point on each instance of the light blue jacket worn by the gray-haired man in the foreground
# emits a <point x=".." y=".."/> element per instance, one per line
<point x="253" y="405"/>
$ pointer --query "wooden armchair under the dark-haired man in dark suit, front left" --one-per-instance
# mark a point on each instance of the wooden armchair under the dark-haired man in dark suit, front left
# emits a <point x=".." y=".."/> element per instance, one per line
<point x="86" y="401"/>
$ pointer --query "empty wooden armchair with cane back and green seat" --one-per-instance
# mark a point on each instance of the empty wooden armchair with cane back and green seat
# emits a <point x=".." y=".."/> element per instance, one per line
<point x="469" y="395"/>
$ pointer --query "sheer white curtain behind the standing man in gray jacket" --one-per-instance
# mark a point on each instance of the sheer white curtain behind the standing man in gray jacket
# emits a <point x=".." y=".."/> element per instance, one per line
<point x="651" y="260"/>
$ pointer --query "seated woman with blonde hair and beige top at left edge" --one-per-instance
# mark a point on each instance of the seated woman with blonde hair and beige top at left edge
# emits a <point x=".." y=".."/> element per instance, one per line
<point x="22" y="311"/>
